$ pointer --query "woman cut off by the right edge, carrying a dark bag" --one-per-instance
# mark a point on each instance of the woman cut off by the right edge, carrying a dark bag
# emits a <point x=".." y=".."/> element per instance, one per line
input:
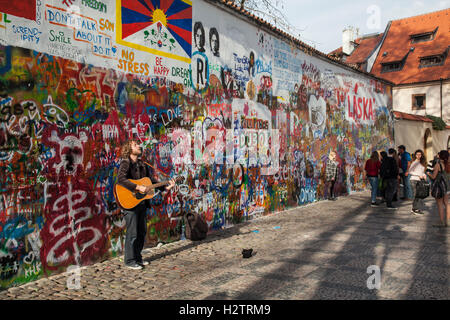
<point x="439" y="187"/>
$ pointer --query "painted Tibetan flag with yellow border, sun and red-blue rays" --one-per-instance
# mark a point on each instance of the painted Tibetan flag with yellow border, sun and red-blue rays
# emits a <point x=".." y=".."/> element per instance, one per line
<point x="162" y="27"/>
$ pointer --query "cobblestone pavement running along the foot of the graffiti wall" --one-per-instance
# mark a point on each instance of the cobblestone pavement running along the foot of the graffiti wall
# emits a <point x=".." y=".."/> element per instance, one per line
<point x="319" y="251"/>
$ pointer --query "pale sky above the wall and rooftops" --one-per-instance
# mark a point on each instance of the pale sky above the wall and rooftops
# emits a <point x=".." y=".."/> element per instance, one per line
<point x="320" y="22"/>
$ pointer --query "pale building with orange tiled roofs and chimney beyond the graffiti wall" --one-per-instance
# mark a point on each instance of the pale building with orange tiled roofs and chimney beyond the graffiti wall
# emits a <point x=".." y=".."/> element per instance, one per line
<point x="413" y="54"/>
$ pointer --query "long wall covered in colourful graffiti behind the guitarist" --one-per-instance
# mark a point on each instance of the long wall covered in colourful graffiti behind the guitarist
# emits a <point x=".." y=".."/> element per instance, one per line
<point x="243" y="117"/>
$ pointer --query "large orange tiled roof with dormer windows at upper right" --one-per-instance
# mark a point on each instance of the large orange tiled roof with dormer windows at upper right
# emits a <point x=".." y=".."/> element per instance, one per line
<point x="398" y="42"/>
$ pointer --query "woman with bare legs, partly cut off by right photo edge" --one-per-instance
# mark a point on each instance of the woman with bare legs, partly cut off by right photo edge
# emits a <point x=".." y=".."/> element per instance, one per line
<point x="442" y="166"/>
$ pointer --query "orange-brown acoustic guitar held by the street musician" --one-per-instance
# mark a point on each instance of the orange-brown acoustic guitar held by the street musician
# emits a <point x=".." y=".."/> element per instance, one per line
<point x="127" y="199"/>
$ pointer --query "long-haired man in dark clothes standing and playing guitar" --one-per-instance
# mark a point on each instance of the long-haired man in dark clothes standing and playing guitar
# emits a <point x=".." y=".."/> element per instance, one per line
<point x="133" y="167"/>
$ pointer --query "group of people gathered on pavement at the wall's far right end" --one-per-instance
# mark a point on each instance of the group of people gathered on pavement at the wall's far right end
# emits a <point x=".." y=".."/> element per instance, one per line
<point x="386" y="172"/>
